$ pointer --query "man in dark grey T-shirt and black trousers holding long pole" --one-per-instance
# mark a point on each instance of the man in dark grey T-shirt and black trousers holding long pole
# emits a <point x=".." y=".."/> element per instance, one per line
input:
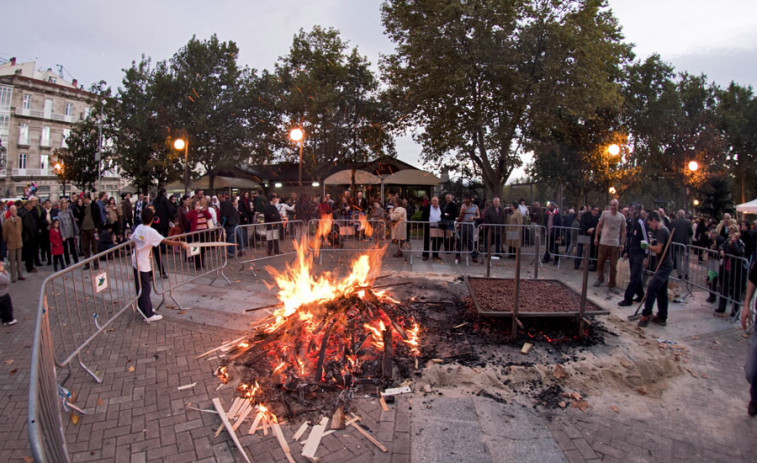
<point x="658" y="286"/>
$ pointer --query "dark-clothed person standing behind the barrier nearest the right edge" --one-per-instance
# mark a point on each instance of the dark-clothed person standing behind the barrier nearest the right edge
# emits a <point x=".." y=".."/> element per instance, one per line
<point x="732" y="271"/>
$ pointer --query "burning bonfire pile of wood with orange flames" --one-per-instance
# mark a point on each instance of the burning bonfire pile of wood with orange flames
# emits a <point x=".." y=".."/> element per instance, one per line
<point x="329" y="337"/>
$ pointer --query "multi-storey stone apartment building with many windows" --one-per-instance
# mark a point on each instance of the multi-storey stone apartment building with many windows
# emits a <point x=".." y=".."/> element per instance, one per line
<point x="37" y="110"/>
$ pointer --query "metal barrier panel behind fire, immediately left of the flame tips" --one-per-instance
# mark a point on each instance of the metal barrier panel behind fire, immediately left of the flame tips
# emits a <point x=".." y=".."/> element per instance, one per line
<point x="261" y="241"/>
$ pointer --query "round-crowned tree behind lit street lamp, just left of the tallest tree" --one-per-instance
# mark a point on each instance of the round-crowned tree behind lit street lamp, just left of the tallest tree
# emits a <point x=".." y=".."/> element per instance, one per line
<point x="333" y="96"/>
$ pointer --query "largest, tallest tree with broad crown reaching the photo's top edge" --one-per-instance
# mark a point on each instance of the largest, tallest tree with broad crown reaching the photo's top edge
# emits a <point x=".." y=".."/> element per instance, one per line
<point x="483" y="79"/>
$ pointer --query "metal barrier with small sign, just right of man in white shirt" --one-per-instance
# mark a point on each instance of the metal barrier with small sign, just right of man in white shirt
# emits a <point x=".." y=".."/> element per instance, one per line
<point x="175" y="267"/>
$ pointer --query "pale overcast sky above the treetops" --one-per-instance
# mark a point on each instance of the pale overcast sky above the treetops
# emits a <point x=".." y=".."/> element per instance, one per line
<point x="95" y="40"/>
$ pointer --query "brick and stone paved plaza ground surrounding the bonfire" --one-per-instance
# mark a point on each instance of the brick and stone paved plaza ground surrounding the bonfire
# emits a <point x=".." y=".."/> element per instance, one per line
<point x="139" y="415"/>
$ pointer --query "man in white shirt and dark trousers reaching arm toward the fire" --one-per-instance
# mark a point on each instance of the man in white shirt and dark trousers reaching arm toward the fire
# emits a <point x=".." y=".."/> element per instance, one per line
<point x="145" y="238"/>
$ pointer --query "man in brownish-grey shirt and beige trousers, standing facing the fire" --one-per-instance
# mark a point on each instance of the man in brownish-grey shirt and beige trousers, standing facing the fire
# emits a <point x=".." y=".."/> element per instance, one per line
<point x="611" y="238"/>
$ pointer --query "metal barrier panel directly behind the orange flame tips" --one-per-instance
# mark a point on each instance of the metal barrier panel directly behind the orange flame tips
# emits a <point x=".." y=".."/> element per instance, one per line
<point x="348" y="235"/>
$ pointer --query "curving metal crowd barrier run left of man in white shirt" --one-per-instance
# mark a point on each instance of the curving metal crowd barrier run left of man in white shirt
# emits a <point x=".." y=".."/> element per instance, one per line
<point x="76" y="305"/>
